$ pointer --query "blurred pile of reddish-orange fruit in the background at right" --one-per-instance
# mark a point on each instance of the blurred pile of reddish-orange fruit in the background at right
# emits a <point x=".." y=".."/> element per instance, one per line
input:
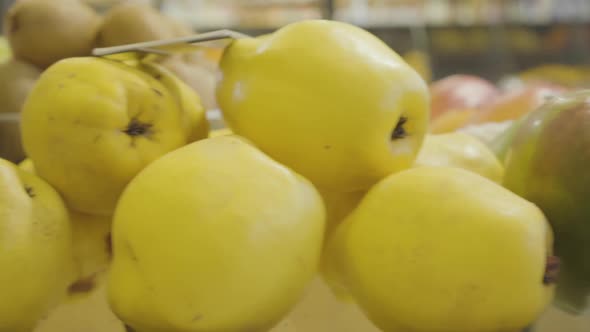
<point x="459" y="101"/>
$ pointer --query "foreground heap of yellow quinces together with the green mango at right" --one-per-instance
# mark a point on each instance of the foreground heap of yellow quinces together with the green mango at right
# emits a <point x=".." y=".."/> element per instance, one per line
<point x="327" y="182"/>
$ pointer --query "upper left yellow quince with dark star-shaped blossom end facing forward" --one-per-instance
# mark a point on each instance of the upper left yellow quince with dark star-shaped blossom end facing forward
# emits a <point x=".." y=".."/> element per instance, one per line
<point x="78" y="128"/>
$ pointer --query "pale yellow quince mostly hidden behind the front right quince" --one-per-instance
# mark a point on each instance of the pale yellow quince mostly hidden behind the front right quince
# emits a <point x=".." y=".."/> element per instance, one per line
<point x="463" y="151"/>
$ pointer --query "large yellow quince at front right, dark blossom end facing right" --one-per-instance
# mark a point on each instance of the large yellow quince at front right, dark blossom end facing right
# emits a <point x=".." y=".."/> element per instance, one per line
<point x="439" y="249"/>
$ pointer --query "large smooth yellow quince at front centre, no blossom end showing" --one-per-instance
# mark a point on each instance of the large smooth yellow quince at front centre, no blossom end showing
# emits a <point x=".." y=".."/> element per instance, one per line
<point x="214" y="236"/>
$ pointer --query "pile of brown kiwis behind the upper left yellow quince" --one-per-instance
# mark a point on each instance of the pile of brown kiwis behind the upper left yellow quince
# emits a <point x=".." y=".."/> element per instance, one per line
<point x="38" y="33"/>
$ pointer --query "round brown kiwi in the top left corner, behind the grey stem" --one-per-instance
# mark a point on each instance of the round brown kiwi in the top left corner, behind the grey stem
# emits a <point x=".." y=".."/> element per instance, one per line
<point x="43" y="32"/>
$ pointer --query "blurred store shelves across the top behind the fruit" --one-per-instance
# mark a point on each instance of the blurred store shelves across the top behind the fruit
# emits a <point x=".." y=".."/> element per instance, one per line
<point x="488" y="38"/>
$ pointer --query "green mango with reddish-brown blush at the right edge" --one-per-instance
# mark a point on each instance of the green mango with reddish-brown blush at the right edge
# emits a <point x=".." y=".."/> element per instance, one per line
<point x="548" y="163"/>
